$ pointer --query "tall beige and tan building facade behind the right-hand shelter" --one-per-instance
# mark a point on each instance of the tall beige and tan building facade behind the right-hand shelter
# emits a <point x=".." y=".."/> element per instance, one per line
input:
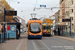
<point x="66" y="12"/>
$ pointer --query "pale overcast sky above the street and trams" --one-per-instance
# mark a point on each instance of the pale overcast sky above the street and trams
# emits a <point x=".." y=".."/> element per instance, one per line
<point x="25" y="8"/>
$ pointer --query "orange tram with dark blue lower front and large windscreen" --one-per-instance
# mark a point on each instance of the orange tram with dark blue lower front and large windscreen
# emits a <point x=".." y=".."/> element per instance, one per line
<point x="34" y="28"/>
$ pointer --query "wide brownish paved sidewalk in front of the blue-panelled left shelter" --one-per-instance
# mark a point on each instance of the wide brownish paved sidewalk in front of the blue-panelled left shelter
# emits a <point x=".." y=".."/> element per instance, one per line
<point x="20" y="44"/>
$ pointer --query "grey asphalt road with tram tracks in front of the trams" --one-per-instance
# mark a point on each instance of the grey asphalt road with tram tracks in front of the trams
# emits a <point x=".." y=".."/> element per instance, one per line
<point x="50" y="43"/>
